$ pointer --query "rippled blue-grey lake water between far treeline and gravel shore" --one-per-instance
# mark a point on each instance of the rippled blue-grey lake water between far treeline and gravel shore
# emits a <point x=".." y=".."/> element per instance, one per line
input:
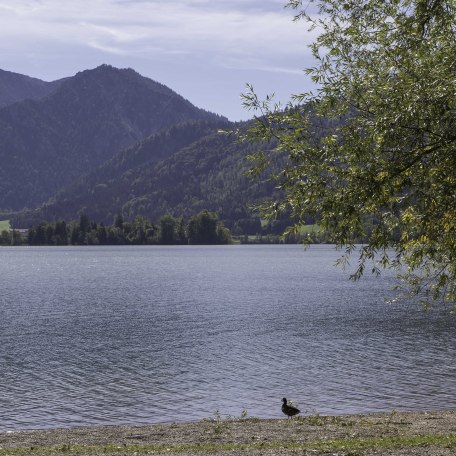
<point x="110" y="335"/>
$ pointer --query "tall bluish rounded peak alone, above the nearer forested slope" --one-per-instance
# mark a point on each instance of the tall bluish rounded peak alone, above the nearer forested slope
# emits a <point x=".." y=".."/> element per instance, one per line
<point x="46" y="144"/>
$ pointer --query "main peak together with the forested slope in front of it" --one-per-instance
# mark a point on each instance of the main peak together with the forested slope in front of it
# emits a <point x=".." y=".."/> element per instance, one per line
<point x="109" y="141"/>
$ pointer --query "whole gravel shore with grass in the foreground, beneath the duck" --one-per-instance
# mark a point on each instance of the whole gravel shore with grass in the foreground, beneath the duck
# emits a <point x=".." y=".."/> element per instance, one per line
<point x="397" y="433"/>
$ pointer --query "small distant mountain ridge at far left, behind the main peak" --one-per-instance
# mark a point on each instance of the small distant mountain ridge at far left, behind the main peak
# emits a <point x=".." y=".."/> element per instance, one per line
<point x="16" y="87"/>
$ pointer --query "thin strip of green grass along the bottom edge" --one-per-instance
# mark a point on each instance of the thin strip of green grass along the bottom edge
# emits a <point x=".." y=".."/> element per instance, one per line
<point x="348" y="446"/>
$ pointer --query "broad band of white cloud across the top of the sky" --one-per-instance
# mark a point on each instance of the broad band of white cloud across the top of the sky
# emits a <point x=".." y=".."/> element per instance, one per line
<point x="192" y="26"/>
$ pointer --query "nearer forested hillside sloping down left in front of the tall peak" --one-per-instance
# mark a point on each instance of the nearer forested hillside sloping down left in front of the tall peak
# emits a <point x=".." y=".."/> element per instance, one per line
<point x="181" y="171"/>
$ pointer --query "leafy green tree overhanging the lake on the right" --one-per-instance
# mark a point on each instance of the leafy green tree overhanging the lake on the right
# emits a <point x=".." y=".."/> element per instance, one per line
<point x="376" y="140"/>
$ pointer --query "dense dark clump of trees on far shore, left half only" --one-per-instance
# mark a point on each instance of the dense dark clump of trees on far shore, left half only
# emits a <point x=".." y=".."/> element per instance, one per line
<point x="201" y="228"/>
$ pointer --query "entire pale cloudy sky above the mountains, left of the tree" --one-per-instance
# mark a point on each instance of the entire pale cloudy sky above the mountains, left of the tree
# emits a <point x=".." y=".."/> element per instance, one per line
<point x="206" y="50"/>
